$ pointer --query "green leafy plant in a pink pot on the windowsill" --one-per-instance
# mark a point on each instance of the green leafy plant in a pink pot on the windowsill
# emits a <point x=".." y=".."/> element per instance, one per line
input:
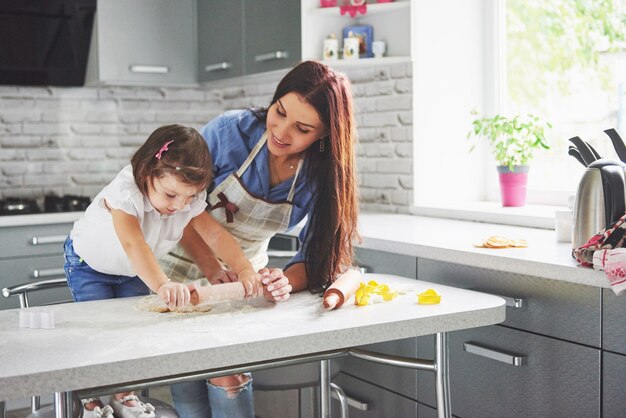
<point x="512" y="141"/>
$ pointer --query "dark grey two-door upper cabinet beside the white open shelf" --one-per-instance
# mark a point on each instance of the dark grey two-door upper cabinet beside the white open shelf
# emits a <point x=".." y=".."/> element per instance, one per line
<point x="241" y="37"/>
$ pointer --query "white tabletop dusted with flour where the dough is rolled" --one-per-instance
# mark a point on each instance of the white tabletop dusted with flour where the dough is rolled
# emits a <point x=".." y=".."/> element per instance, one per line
<point x="110" y="342"/>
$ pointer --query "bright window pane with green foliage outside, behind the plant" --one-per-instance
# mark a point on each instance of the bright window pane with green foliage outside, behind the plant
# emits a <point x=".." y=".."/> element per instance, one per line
<point x="565" y="60"/>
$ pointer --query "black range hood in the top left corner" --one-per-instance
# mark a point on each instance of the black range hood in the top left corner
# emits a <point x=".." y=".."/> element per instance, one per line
<point x="45" y="42"/>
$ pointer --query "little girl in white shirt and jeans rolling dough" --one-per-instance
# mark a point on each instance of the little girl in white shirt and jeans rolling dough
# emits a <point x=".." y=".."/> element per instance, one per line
<point x="112" y="250"/>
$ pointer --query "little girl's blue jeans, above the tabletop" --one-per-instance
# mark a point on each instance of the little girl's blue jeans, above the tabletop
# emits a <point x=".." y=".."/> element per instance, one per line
<point x="89" y="284"/>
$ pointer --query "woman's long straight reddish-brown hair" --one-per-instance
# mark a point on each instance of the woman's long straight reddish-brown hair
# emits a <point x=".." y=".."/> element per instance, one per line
<point x="332" y="172"/>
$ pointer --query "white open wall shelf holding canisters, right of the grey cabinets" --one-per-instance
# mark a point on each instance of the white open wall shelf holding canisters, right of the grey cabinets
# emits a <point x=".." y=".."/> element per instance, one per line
<point x="390" y="22"/>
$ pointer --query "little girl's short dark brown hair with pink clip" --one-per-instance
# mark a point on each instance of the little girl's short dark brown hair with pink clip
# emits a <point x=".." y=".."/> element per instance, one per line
<point x="187" y="157"/>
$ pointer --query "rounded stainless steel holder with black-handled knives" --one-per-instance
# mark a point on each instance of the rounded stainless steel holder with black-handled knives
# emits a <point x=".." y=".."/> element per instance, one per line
<point x="601" y="195"/>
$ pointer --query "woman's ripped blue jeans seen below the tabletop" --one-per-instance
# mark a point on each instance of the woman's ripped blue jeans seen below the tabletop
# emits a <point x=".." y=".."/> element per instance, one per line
<point x="201" y="399"/>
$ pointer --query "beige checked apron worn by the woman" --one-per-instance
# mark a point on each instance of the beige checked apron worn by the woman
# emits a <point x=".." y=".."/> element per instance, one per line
<point x="250" y="219"/>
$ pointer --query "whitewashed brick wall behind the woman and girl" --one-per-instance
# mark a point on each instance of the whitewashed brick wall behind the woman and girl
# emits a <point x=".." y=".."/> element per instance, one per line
<point x="74" y="140"/>
